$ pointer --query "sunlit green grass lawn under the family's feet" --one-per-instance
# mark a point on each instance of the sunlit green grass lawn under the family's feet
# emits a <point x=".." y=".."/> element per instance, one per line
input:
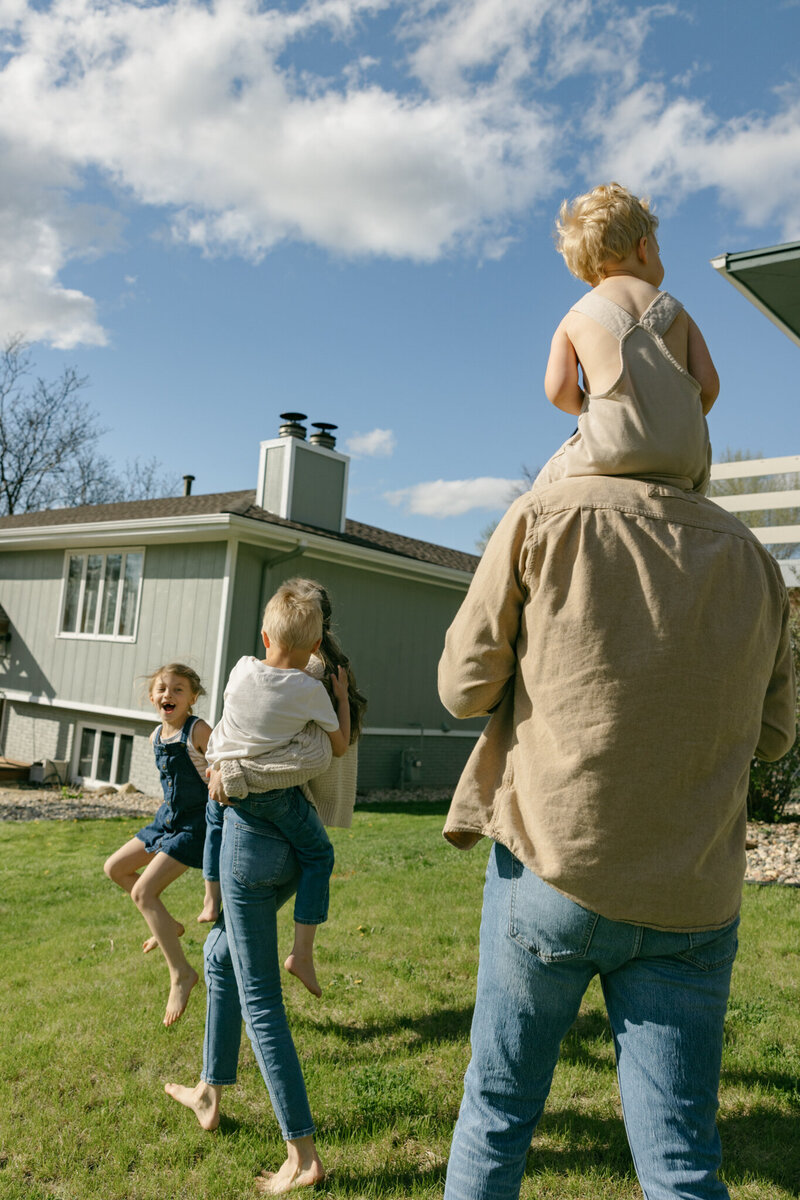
<point x="85" y="1057"/>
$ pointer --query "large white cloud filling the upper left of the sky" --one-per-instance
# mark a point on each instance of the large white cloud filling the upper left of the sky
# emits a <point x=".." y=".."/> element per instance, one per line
<point x="191" y="109"/>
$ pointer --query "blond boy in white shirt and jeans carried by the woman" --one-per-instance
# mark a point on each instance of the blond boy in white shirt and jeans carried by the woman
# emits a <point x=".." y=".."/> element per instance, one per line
<point x="268" y="706"/>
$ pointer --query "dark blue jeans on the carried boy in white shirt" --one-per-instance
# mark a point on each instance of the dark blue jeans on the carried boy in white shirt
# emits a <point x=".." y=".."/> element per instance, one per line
<point x="298" y="821"/>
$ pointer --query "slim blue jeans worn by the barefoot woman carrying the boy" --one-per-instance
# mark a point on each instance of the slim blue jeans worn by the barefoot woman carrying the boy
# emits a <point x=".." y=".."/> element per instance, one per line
<point x="258" y="873"/>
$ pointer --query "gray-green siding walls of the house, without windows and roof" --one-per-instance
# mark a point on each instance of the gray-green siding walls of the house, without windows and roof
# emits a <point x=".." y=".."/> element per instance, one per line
<point x="393" y="627"/>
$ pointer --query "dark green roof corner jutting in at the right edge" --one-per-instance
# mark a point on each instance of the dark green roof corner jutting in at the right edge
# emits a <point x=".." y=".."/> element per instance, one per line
<point x="771" y="279"/>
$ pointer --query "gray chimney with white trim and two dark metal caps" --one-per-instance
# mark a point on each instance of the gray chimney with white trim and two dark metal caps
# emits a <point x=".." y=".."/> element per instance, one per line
<point x="304" y="482"/>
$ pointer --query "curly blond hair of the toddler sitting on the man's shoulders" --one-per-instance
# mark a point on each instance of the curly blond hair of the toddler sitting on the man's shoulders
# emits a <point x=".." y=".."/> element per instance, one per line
<point x="606" y="223"/>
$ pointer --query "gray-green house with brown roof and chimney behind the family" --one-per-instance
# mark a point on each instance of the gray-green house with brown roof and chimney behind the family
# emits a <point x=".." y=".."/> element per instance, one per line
<point x="95" y="598"/>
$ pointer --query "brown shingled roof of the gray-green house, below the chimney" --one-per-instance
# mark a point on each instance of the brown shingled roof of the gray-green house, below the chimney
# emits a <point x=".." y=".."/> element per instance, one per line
<point x="242" y="505"/>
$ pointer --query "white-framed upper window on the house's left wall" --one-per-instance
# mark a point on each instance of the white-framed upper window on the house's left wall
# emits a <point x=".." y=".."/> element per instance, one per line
<point x="101" y="595"/>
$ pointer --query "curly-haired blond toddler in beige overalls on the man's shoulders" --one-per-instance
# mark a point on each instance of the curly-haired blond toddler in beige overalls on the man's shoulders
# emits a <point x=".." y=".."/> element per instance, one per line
<point x="648" y="377"/>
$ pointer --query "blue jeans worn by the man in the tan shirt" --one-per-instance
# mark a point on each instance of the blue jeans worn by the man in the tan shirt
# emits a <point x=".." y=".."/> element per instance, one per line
<point x="666" y="995"/>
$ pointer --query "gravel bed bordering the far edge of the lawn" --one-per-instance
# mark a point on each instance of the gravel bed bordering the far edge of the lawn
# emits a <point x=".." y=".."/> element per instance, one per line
<point x="773" y="850"/>
